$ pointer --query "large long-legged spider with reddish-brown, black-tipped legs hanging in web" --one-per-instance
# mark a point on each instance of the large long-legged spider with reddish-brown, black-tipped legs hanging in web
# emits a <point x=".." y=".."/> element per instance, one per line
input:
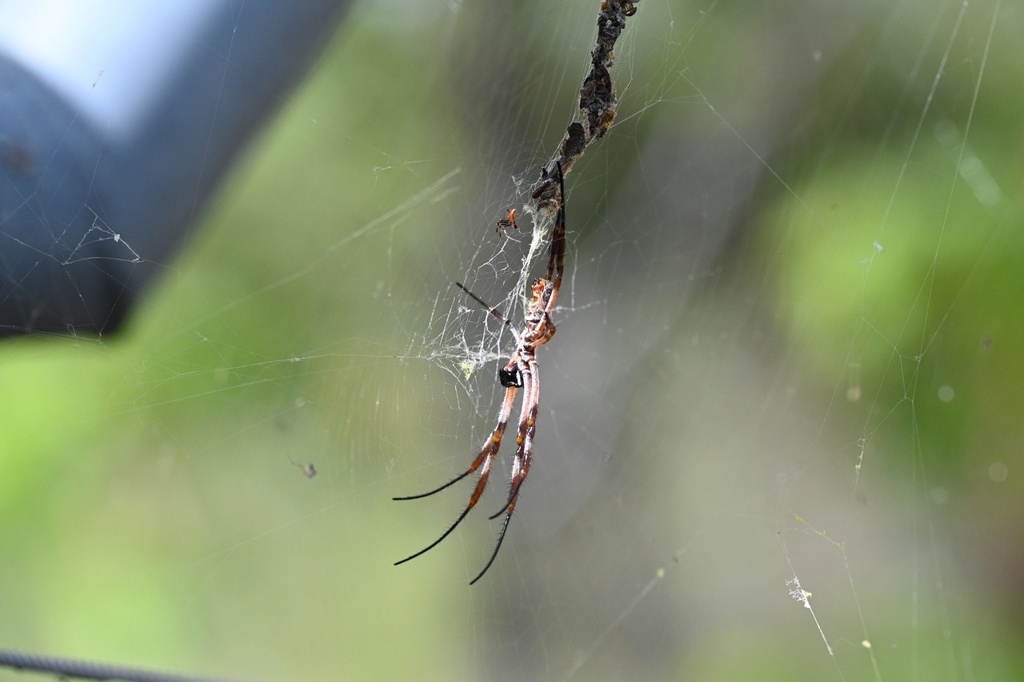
<point x="521" y="372"/>
